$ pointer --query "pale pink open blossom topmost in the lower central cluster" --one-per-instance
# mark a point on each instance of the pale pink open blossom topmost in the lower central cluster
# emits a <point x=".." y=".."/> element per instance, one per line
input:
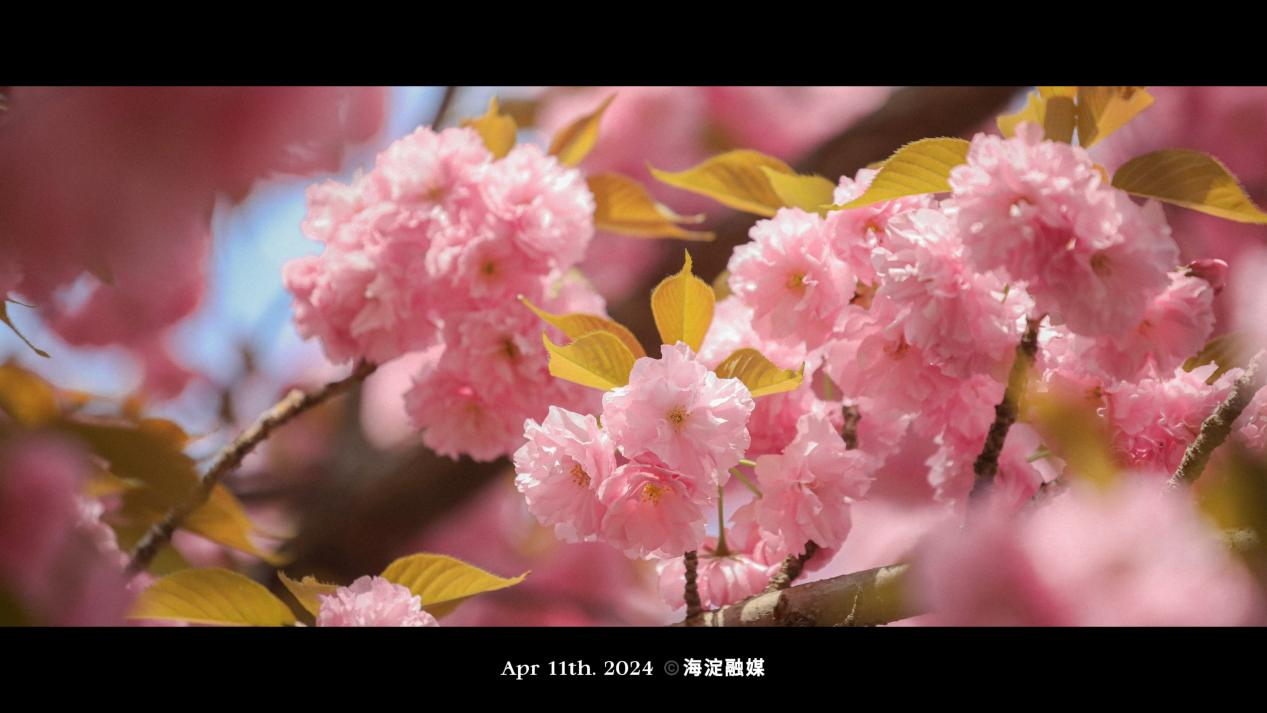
<point x="678" y="410"/>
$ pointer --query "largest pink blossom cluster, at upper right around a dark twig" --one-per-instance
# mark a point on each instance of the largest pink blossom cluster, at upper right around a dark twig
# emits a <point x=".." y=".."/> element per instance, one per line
<point x="914" y="307"/>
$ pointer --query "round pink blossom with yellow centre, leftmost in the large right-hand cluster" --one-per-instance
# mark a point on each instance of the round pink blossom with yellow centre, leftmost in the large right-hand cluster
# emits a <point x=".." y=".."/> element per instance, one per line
<point x="793" y="281"/>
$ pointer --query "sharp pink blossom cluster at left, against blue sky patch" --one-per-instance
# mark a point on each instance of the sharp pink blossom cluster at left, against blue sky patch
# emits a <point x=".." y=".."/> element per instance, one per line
<point x="430" y="254"/>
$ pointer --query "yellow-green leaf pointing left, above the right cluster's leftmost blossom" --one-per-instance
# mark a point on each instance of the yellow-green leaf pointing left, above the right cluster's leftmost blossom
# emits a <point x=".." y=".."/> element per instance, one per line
<point x="734" y="179"/>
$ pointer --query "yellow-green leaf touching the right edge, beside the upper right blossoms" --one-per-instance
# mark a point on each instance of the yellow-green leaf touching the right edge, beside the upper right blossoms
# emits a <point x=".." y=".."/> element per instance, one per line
<point x="1189" y="179"/>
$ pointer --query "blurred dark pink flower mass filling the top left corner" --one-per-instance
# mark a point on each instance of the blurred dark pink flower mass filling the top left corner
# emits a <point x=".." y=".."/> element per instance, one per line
<point x="120" y="184"/>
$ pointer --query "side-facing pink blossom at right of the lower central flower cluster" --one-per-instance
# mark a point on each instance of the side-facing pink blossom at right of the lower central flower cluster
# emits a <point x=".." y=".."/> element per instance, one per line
<point x="809" y="488"/>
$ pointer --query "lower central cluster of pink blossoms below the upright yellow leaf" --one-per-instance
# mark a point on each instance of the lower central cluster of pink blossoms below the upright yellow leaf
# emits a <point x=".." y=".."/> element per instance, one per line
<point x="648" y="479"/>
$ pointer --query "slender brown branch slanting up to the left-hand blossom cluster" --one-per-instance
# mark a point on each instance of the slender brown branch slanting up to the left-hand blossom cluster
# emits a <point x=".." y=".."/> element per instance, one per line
<point x="230" y="458"/>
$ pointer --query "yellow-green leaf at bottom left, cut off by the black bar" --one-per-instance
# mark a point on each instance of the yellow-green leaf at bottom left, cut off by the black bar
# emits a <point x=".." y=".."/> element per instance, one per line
<point x="212" y="597"/>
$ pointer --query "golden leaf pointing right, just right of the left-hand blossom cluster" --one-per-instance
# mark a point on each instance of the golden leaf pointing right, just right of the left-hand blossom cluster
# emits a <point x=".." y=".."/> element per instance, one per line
<point x="623" y="206"/>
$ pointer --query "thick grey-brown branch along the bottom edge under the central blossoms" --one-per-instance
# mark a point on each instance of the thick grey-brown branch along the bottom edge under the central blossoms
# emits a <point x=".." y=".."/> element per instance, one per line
<point x="860" y="600"/>
